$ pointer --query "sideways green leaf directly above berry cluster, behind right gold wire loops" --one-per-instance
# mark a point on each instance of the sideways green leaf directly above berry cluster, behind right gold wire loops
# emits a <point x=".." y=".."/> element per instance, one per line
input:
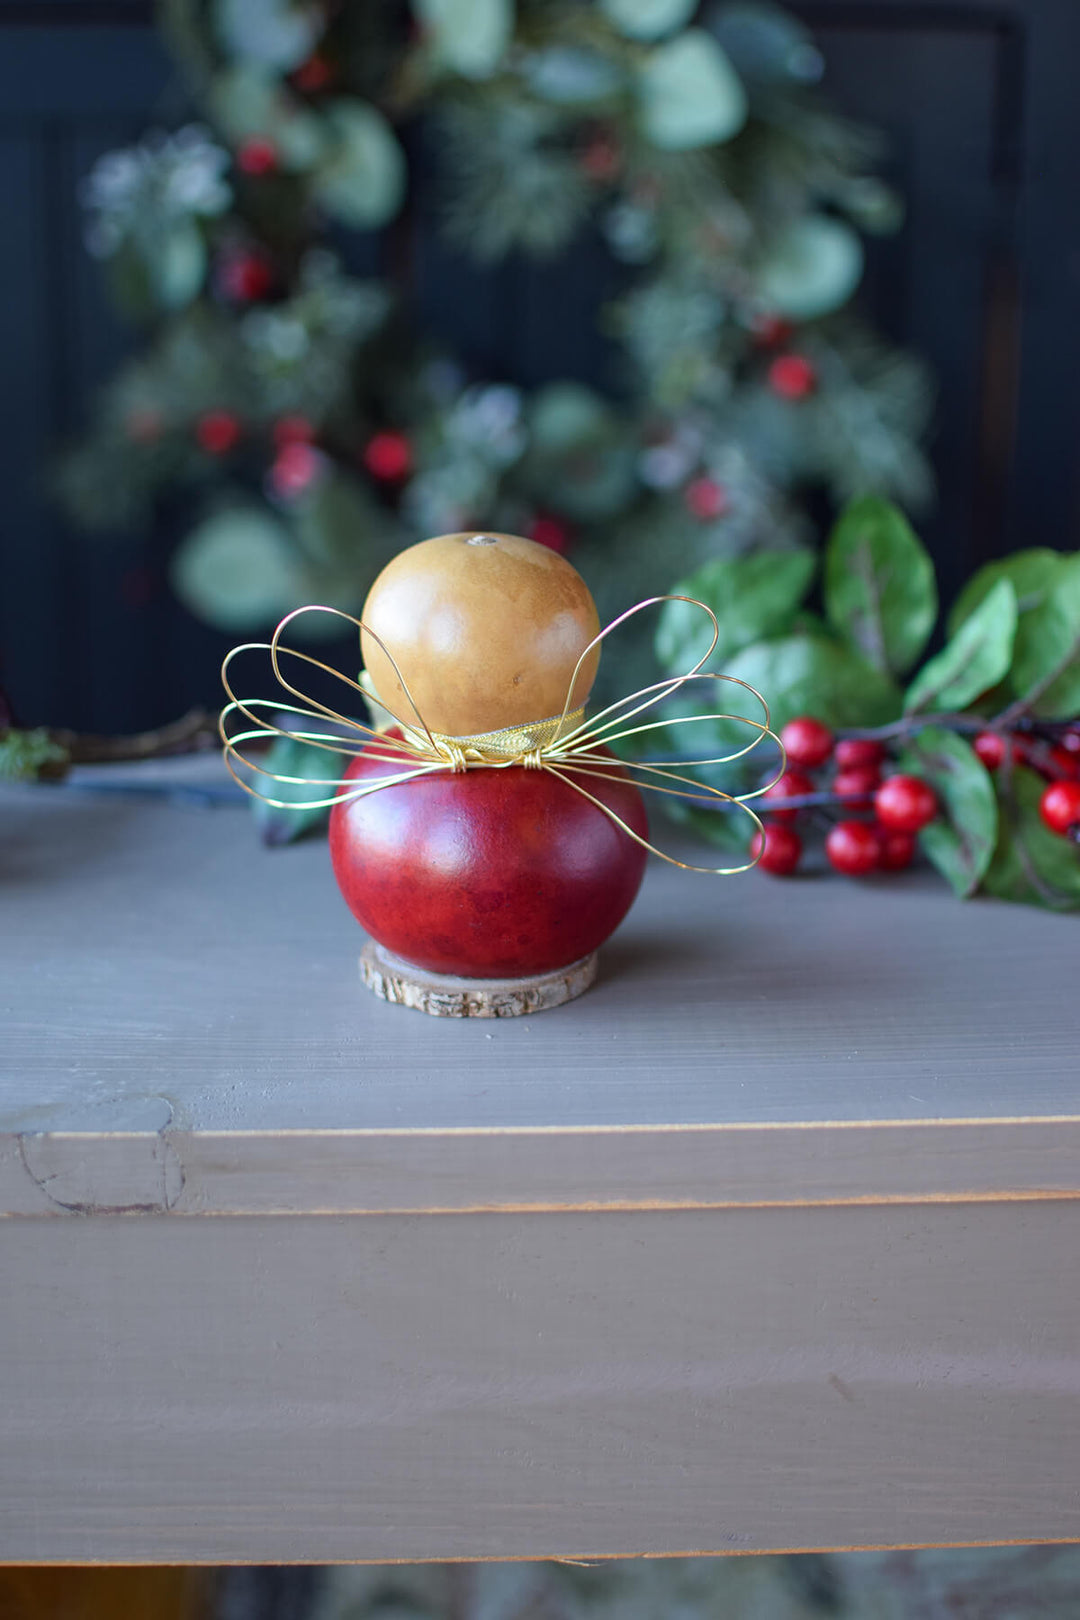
<point x="809" y="675"/>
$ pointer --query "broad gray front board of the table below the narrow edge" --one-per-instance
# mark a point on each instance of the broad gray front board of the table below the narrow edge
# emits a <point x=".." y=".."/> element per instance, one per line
<point x="534" y="1386"/>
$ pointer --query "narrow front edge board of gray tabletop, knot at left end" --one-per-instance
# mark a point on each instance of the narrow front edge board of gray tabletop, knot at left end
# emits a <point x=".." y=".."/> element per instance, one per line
<point x="517" y="1170"/>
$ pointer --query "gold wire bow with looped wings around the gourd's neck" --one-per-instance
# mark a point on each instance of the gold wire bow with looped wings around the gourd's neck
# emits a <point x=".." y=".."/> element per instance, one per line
<point x="572" y="748"/>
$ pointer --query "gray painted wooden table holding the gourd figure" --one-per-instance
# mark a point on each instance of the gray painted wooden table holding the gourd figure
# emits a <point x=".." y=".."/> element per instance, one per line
<point x="770" y="1242"/>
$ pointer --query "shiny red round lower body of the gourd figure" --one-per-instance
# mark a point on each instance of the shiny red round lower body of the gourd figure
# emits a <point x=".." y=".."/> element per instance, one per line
<point x="488" y="874"/>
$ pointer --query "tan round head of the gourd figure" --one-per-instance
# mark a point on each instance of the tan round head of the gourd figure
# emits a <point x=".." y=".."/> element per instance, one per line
<point x="487" y="629"/>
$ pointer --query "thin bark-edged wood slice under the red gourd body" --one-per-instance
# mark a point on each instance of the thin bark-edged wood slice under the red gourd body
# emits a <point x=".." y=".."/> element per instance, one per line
<point x="443" y="995"/>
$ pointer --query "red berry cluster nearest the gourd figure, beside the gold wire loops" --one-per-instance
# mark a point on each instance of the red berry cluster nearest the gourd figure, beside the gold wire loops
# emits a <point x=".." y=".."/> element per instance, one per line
<point x="857" y="845"/>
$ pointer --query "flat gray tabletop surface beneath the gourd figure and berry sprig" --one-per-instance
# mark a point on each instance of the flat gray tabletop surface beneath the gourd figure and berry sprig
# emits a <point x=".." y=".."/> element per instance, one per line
<point x="156" y="952"/>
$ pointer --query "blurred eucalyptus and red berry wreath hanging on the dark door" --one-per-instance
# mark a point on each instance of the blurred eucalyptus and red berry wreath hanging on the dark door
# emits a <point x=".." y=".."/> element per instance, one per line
<point x="302" y="425"/>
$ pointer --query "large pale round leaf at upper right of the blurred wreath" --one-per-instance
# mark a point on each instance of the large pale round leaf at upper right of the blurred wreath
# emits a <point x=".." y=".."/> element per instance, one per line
<point x="691" y="95"/>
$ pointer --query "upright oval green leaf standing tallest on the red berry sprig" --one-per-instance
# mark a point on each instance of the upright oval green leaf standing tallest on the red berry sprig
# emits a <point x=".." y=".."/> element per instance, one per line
<point x="880" y="584"/>
